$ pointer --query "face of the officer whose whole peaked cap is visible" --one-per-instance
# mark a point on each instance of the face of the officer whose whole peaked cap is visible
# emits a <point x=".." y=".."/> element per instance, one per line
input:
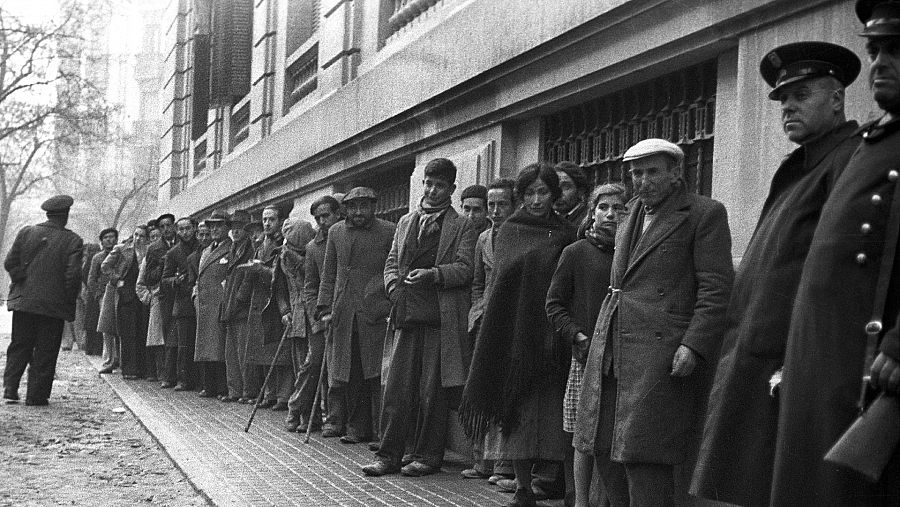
<point x="809" y="108"/>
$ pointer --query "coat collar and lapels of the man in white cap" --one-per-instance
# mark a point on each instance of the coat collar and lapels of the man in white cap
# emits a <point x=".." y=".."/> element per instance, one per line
<point x="670" y="215"/>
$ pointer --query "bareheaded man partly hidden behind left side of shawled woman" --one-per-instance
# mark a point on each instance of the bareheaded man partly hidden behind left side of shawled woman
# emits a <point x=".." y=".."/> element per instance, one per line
<point x="501" y="203"/>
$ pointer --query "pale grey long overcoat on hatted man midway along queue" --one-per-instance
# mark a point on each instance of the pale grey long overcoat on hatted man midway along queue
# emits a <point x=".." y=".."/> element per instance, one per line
<point x="210" y="293"/>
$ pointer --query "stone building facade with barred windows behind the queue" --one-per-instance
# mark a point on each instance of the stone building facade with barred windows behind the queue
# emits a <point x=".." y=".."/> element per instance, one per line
<point x="277" y="102"/>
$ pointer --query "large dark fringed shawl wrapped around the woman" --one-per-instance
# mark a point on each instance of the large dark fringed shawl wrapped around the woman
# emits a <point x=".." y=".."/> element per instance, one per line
<point x="516" y="351"/>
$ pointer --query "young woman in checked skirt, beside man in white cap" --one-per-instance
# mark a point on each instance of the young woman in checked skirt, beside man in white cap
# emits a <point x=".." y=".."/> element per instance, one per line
<point x="573" y="302"/>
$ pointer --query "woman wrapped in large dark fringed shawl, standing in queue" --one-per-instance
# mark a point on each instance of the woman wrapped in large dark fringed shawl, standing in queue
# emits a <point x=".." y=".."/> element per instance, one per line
<point x="521" y="402"/>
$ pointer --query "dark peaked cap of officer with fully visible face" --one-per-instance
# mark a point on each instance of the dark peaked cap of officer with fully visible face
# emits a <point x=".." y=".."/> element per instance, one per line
<point x="805" y="60"/>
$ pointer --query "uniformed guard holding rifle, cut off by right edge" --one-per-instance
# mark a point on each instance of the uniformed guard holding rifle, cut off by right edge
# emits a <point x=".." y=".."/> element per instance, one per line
<point x="826" y="347"/>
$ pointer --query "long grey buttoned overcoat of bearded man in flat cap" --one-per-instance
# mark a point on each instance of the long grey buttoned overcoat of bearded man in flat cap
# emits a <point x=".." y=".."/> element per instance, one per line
<point x="352" y="278"/>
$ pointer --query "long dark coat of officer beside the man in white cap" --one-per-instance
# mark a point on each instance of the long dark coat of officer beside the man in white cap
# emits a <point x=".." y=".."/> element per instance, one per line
<point x="735" y="460"/>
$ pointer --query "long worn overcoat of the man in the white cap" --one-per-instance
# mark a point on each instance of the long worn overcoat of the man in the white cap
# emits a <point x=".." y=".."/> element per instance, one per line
<point x="671" y="289"/>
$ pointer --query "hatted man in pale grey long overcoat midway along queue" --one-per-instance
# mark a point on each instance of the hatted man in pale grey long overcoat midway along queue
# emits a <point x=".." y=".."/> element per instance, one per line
<point x="209" y="292"/>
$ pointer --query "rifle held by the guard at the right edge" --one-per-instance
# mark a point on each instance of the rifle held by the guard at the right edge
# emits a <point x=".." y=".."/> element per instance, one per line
<point x="868" y="444"/>
